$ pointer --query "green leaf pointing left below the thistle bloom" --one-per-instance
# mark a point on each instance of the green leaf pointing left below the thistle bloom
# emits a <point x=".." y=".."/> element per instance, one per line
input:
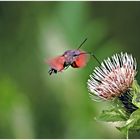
<point x="112" y="115"/>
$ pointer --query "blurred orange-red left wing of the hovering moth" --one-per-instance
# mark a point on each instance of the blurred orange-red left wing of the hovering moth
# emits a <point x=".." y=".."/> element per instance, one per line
<point x="57" y="63"/>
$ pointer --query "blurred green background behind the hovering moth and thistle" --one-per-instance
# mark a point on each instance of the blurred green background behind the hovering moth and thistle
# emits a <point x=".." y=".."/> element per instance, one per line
<point x="36" y="105"/>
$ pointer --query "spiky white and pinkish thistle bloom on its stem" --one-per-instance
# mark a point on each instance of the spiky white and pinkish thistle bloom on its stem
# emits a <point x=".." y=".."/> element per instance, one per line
<point x="114" y="77"/>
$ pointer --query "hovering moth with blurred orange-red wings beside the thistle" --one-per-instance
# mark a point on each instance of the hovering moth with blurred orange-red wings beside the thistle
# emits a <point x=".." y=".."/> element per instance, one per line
<point x="75" y="58"/>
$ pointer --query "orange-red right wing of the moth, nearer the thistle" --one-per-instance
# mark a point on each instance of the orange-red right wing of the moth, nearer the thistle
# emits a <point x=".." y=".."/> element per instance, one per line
<point x="81" y="60"/>
